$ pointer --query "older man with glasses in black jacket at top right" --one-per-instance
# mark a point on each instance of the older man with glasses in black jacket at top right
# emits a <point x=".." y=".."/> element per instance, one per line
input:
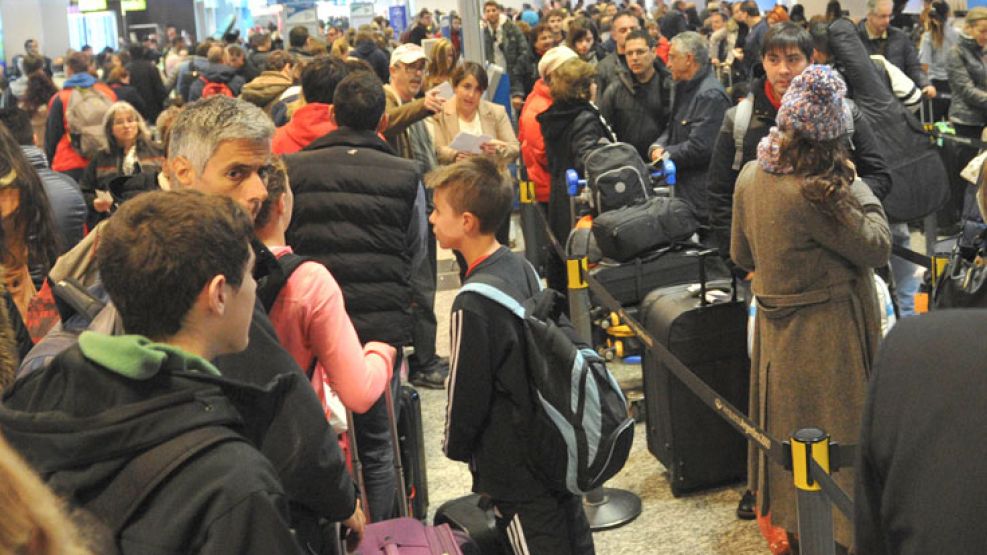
<point x="892" y="43"/>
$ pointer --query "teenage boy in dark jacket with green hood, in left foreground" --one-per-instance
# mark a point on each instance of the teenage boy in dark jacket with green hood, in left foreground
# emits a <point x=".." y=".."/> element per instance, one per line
<point x="108" y="399"/>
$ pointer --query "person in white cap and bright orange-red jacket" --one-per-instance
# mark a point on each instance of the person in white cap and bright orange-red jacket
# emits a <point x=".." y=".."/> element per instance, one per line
<point x="529" y="130"/>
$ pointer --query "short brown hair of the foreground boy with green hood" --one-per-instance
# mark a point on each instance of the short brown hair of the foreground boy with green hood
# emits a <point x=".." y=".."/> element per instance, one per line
<point x="161" y="248"/>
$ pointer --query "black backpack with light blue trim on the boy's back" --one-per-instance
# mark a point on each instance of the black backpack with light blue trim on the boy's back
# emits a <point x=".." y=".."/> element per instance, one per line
<point x="579" y="434"/>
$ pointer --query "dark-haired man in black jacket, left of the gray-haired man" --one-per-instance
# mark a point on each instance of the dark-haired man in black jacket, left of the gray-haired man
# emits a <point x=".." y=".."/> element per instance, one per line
<point x="636" y="103"/>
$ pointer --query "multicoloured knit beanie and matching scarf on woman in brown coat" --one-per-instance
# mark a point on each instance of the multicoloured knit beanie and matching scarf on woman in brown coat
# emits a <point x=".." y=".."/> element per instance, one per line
<point x="812" y="108"/>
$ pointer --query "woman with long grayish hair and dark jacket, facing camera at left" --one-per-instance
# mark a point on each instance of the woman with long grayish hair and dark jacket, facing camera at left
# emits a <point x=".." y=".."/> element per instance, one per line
<point x="129" y="151"/>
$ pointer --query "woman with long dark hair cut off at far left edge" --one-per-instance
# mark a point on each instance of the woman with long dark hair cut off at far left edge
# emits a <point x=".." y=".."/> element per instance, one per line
<point x="28" y="234"/>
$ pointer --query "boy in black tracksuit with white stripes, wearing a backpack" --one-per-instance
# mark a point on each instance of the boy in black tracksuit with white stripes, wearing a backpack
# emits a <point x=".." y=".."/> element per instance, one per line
<point x="489" y="394"/>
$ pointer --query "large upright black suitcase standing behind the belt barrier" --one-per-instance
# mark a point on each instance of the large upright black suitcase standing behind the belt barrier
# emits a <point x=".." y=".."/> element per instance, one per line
<point x="699" y="449"/>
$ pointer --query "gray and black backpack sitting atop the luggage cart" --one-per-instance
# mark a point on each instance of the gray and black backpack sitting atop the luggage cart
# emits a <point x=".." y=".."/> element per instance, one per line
<point x="616" y="176"/>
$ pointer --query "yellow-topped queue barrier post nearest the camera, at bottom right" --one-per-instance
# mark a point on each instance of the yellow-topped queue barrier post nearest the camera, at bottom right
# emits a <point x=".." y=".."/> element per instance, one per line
<point x="815" y="514"/>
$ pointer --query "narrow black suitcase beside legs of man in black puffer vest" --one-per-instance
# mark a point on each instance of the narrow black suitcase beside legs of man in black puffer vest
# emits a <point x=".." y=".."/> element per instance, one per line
<point x="411" y="439"/>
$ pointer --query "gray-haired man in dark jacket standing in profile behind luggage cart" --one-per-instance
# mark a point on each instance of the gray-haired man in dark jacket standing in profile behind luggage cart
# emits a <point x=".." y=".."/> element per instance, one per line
<point x="698" y="105"/>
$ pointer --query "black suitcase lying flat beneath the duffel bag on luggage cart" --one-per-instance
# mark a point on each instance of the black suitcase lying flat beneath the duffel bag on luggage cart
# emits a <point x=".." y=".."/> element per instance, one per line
<point x="629" y="282"/>
